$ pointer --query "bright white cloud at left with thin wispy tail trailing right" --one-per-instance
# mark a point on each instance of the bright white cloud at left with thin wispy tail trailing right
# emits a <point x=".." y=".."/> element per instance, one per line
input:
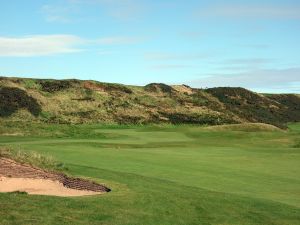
<point x="44" y="45"/>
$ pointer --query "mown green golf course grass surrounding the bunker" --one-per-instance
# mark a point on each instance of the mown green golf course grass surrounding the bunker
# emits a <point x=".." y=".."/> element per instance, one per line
<point x="164" y="175"/>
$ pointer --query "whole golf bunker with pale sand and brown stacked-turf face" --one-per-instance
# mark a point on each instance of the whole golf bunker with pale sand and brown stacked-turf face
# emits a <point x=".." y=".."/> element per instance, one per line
<point x="25" y="178"/>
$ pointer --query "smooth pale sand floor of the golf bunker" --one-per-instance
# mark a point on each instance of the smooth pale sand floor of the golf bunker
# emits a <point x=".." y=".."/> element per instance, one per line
<point x="40" y="187"/>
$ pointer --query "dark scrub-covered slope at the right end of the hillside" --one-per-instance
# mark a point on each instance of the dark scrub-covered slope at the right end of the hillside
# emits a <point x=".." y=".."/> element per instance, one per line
<point x="257" y="107"/>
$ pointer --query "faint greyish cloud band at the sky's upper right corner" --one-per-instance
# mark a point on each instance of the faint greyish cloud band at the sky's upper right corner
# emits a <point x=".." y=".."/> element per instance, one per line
<point x="254" y="11"/>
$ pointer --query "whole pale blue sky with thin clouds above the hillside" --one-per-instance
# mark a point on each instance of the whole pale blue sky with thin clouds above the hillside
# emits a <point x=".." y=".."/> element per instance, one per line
<point x="253" y="44"/>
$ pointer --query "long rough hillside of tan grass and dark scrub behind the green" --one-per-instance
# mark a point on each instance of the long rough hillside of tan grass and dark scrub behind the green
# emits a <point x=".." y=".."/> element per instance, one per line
<point x="76" y="101"/>
